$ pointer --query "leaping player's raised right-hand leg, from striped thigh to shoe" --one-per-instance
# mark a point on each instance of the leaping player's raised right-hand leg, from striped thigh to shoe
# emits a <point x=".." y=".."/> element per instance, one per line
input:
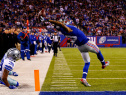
<point x="92" y="47"/>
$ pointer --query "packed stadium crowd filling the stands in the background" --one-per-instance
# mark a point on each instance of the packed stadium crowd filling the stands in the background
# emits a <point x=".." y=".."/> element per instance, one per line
<point x="94" y="17"/>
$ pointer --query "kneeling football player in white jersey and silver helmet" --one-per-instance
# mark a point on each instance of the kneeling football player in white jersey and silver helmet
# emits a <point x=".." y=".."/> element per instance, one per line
<point x="6" y="66"/>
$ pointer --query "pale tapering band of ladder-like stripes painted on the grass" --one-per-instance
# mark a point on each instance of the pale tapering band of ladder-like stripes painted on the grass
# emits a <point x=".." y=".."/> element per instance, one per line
<point x="62" y="70"/>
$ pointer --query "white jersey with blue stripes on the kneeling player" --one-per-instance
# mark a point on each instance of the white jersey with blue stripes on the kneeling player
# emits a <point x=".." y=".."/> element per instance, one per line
<point x="6" y="63"/>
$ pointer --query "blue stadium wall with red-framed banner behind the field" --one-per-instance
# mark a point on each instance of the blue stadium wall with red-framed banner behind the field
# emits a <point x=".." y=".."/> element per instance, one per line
<point x="101" y="41"/>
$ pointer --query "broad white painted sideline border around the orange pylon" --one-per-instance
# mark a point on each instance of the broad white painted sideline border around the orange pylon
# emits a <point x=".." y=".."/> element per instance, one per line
<point x="25" y="69"/>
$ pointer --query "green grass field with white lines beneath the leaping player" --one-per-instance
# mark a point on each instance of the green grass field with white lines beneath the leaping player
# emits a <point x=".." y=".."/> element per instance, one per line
<point x="66" y="70"/>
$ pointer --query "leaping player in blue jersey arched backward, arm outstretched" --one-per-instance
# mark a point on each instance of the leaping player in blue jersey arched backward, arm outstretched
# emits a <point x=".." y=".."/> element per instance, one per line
<point x="84" y="46"/>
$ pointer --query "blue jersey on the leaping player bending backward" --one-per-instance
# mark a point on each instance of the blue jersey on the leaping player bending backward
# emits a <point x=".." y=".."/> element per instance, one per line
<point x="78" y="36"/>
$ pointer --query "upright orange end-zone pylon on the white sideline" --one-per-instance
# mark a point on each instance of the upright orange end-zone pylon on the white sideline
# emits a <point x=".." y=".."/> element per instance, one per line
<point x="37" y="82"/>
